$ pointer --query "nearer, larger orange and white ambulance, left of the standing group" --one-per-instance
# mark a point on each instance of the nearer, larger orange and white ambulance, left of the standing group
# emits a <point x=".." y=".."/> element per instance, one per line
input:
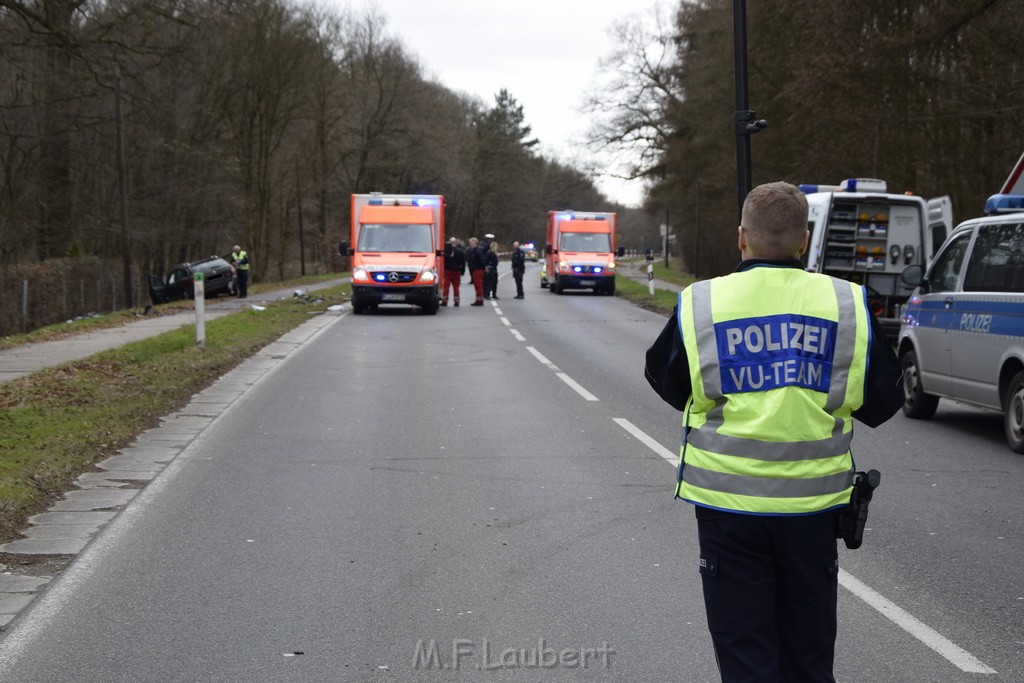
<point x="397" y="247"/>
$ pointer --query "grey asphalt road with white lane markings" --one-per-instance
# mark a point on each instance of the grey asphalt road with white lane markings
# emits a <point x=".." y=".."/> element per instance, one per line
<point x="487" y="495"/>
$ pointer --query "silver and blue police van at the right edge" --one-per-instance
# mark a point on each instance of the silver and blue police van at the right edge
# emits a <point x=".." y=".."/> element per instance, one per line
<point x="962" y="335"/>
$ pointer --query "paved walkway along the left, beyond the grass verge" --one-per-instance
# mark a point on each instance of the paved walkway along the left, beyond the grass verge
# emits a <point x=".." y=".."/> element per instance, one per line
<point x="28" y="359"/>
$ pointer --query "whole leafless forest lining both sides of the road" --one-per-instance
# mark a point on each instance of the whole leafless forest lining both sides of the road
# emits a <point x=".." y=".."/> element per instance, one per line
<point x="136" y="135"/>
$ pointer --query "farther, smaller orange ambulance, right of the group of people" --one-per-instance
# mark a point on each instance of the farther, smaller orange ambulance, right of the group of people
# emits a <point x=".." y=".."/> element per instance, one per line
<point x="580" y="252"/>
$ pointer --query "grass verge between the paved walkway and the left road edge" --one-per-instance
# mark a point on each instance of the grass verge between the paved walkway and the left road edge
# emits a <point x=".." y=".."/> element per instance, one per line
<point x="58" y="423"/>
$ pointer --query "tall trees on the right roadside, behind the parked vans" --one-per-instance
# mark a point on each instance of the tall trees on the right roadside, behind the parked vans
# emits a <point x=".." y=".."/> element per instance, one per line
<point x="920" y="95"/>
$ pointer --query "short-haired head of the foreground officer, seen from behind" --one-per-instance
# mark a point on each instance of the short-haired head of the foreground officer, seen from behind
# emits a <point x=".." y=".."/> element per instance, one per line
<point x="775" y="220"/>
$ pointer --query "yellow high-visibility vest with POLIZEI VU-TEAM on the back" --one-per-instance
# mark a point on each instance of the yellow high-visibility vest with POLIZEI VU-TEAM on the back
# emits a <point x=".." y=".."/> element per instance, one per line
<point x="769" y="429"/>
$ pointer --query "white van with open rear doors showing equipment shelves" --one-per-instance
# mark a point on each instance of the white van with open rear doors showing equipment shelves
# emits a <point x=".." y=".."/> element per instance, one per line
<point x="863" y="233"/>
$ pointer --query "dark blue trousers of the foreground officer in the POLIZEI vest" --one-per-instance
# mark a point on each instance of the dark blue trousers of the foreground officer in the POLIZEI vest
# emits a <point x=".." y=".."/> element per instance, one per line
<point x="771" y="591"/>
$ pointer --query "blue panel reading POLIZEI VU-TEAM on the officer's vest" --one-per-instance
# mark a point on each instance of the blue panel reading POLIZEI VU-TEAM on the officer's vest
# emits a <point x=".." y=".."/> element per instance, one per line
<point x="772" y="352"/>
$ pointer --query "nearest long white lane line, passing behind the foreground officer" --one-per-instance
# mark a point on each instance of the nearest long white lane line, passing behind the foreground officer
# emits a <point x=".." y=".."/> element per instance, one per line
<point x="948" y="650"/>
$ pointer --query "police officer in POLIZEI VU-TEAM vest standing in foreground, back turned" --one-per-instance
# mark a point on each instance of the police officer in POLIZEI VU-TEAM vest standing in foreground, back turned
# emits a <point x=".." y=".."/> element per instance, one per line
<point x="770" y="365"/>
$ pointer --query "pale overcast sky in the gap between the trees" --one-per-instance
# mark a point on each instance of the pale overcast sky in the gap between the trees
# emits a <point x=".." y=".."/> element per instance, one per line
<point x="545" y="53"/>
